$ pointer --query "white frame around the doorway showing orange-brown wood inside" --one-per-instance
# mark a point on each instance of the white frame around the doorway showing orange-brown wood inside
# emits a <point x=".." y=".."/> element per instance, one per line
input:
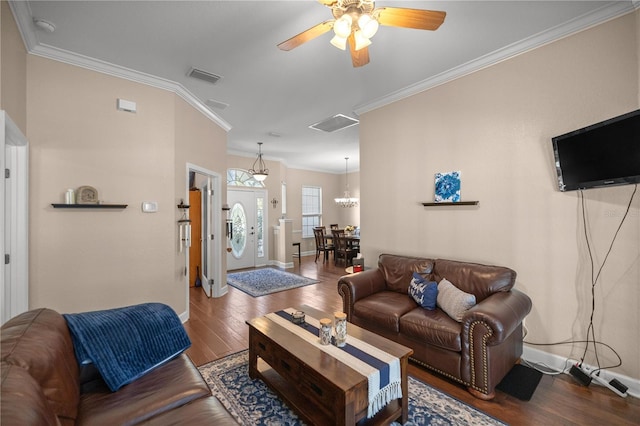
<point x="218" y="288"/>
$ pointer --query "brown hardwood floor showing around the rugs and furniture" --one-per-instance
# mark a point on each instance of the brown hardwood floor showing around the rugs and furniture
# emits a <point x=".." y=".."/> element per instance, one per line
<point x="217" y="328"/>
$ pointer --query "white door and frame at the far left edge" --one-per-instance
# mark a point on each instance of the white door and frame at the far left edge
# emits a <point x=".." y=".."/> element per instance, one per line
<point x="14" y="218"/>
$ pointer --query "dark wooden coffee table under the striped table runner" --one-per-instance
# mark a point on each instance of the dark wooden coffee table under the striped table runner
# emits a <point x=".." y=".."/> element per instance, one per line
<point x="318" y="387"/>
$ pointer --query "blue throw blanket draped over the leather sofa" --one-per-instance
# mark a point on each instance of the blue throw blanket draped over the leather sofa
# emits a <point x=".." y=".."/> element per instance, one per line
<point x="126" y="343"/>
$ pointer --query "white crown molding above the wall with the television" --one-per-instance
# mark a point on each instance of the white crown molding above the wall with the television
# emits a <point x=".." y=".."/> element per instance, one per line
<point x="591" y="19"/>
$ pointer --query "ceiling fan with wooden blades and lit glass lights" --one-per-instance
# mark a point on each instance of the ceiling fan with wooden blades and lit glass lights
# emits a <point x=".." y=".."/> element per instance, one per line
<point x="356" y="21"/>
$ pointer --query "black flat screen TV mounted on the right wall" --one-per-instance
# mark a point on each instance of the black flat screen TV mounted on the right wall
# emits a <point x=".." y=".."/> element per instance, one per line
<point x="603" y="154"/>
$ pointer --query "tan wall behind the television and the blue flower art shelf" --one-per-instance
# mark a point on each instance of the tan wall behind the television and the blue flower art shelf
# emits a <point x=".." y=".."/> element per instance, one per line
<point x="496" y="127"/>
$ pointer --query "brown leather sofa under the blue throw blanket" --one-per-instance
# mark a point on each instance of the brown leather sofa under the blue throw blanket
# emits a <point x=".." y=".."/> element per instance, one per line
<point x="41" y="384"/>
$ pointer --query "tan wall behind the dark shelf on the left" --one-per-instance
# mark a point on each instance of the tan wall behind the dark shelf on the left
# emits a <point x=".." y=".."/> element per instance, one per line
<point x="95" y="259"/>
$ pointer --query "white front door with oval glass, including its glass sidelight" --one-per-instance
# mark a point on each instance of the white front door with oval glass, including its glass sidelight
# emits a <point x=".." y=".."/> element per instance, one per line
<point x="248" y="234"/>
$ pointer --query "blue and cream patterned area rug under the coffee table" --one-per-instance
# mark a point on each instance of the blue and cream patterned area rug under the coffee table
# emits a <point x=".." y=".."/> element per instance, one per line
<point x="251" y="402"/>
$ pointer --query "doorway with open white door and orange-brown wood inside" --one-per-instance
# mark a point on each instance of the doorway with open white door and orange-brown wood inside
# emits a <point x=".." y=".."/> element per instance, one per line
<point x="206" y="184"/>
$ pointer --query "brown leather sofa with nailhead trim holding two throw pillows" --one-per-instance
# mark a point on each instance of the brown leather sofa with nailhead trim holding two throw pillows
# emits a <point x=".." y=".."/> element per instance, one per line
<point x="477" y="352"/>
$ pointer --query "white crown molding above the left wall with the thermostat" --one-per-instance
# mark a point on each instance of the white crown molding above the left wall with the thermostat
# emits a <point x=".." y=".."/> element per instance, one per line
<point x="22" y="14"/>
